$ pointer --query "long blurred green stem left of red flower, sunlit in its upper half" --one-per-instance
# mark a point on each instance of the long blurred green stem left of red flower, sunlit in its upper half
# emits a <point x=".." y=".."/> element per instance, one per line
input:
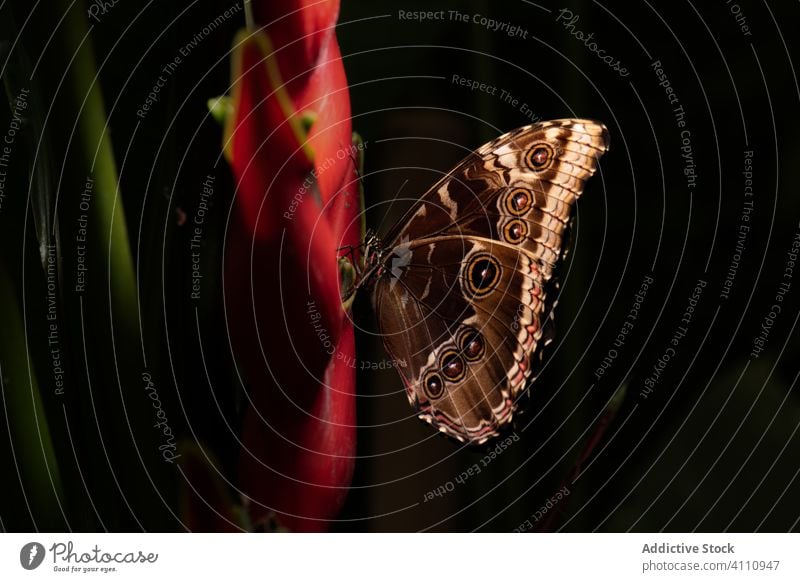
<point x="110" y="304"/>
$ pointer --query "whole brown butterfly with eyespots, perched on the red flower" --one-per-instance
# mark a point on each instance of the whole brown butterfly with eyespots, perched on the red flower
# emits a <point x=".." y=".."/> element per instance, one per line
<point x="463" y="287"/>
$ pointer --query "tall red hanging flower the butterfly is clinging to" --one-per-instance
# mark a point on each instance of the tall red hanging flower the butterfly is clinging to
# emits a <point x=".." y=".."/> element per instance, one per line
<point x="288" y="141"/>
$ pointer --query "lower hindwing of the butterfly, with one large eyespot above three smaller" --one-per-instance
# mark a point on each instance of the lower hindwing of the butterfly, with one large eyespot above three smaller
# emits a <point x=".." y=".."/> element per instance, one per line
<point x="464" y="334"/>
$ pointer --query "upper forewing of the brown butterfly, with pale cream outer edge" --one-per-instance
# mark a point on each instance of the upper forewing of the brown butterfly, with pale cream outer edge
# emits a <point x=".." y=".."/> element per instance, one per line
<point x="534" y="173"/>
